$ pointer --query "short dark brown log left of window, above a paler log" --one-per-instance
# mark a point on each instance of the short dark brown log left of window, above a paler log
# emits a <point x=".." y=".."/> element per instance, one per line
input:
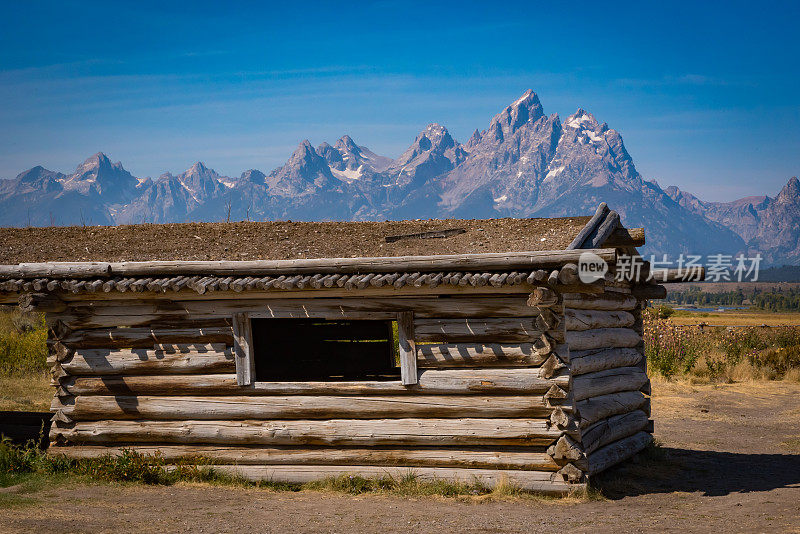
<point x="146" y="337"/>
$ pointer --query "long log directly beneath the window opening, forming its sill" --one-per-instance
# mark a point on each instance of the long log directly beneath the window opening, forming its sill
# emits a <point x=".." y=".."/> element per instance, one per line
<point x="438" y="382"/>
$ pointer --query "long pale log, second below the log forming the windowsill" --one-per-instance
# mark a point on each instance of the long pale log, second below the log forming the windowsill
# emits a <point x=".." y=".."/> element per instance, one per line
<point x="335" y="432"/>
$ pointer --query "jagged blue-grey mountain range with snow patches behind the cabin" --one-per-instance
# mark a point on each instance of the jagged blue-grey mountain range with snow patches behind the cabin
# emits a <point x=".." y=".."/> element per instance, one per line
<point x="524" y="164"/>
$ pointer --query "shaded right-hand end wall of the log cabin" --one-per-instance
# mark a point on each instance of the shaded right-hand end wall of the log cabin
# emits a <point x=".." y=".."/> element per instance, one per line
<point x="609" y="379"/>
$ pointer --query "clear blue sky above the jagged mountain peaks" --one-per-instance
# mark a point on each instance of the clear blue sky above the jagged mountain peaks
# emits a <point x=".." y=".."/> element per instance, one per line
<point x="705" y="94"/>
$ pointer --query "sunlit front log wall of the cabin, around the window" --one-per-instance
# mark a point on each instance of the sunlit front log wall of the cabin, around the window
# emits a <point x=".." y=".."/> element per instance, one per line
<point x="493" y="393"/>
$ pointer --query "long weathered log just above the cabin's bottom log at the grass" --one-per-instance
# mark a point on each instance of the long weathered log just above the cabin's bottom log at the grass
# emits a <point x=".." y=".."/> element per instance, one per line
<point x="496" y="458"/>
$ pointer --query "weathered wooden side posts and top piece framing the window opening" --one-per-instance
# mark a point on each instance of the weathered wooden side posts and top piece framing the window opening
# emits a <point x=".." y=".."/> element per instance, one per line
<point x="245" y="355"/>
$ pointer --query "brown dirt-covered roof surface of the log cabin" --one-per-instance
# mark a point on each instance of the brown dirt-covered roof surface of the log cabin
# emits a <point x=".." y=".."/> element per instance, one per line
<point x="281" y="240"/>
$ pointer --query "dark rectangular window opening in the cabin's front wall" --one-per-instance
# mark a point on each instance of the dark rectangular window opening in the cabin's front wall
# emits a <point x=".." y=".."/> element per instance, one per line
<point x="324" y="350"/>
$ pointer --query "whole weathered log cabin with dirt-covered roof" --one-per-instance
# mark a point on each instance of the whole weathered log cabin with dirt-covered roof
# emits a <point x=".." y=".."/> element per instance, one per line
<point x="499" y="365"/>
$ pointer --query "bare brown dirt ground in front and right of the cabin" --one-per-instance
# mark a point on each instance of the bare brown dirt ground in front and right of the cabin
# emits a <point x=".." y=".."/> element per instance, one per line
<point x="730" y="462"/>
